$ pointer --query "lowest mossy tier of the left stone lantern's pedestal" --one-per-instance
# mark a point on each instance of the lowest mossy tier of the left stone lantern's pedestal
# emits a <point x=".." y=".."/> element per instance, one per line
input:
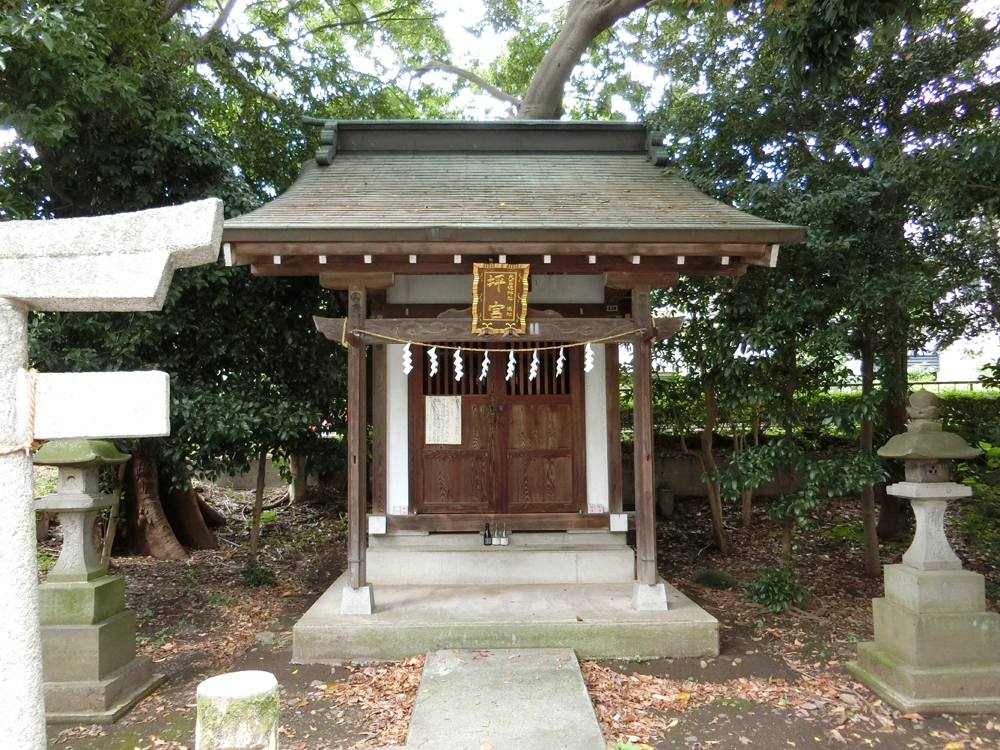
<point x="102" y="701"/>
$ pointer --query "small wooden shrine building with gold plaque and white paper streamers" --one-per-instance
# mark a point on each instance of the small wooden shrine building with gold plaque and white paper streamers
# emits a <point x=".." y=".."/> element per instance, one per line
<point x="493" y="269"/>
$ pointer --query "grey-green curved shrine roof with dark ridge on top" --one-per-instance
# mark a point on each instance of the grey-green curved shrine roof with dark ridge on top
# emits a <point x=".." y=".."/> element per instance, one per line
<point x="507" y="181"/>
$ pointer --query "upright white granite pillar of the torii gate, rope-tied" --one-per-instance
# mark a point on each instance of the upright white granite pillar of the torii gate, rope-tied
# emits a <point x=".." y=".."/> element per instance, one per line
<point x="22" y="719"/>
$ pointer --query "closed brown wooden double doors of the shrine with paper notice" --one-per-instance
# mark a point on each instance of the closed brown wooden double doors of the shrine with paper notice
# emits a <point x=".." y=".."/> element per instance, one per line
<point x="522" y="440"/>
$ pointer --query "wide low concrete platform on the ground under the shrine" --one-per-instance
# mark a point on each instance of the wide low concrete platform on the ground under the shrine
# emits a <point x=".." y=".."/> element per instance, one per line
<point x="596" y="620"/>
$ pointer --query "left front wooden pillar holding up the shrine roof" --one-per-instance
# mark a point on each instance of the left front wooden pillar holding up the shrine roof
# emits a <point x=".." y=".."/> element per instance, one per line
<point x="357" y="434"/>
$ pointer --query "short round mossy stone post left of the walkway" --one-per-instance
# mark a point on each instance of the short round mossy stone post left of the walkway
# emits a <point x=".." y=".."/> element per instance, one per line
<point x="236" y="711"/>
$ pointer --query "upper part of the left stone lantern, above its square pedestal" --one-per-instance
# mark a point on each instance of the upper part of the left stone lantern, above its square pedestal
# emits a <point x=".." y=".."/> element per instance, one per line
<point x="77" y="500"/>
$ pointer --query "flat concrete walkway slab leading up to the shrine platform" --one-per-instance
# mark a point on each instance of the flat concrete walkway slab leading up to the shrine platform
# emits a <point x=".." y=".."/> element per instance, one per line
<point x="524" y="699"/>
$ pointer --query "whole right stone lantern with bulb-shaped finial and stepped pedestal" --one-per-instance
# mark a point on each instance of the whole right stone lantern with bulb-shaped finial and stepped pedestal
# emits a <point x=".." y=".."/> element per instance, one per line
<point x="936" y="648"/>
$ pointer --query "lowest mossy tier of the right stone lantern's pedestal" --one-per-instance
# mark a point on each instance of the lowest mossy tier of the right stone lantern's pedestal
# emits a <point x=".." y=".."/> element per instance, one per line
<point x="934" y="690"/>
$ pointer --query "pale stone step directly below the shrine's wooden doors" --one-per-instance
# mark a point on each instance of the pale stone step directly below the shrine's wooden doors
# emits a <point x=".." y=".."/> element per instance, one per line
<point x="472" y="565"/>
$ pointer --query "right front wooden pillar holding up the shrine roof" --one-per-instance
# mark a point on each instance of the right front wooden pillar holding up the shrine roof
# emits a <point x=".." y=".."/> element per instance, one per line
<point x="642" y="380"/>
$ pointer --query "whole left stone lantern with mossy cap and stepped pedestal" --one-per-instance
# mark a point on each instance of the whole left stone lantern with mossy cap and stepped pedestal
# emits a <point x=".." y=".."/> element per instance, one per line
<point x="90" y="670"/>
